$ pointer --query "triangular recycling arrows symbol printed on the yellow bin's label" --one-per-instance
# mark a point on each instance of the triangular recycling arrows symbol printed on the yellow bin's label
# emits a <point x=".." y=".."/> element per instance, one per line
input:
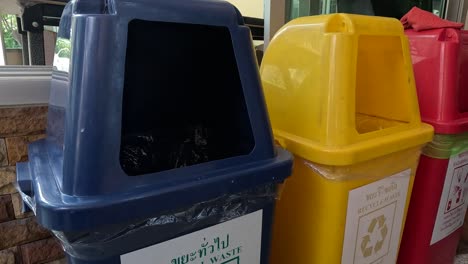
<point x="377" y="225"/>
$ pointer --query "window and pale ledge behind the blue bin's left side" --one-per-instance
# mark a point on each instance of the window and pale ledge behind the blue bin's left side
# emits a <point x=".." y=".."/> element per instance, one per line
<point x="27" y="50"/>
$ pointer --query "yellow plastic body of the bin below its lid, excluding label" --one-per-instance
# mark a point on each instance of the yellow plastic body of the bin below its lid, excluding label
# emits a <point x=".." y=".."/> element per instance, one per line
<point x="310" y="215"/>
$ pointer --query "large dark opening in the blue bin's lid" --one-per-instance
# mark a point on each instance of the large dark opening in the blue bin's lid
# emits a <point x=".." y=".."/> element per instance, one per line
<point x="176" y="111"/>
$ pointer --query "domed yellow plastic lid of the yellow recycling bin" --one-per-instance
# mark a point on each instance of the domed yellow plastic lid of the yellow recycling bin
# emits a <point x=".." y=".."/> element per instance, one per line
<point x="340" y="89"/>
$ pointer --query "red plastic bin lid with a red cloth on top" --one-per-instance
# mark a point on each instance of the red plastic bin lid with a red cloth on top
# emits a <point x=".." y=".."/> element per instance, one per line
<point x="440" y="63"/>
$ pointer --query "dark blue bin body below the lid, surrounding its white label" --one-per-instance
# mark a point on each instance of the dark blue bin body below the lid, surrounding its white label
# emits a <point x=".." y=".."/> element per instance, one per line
<point x="110" y="242"/>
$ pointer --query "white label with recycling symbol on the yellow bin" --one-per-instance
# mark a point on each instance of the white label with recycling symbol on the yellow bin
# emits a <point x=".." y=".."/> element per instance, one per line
<point x="374" y="221"/>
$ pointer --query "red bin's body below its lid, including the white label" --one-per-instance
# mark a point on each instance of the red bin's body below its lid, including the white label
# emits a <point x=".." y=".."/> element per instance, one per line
<point x="435" y="218"/>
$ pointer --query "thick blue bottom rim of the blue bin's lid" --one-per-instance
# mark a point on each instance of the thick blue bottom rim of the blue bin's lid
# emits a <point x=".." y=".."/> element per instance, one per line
<point x="58" y="211"/>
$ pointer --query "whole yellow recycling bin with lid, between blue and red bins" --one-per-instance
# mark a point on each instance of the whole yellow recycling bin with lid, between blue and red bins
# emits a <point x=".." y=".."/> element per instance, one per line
<point x="341" y="96"/>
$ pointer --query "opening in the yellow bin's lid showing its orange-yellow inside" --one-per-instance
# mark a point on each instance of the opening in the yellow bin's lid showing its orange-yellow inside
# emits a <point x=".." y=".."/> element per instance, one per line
<point x="381" y="81"/>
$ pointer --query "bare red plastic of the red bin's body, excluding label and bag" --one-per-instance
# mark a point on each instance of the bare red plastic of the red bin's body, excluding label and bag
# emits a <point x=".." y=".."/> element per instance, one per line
<point x="416" y="246"/>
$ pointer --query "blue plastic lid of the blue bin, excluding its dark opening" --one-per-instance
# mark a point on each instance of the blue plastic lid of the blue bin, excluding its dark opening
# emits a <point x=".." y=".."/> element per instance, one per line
<point x="74" y="176"/>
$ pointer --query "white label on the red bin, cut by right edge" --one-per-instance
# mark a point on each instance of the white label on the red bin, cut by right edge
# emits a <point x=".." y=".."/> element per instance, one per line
<point x="453" y="202"/>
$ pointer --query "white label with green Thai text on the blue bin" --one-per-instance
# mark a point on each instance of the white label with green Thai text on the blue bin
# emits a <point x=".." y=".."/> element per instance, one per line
<point x="238" y="241"/>
